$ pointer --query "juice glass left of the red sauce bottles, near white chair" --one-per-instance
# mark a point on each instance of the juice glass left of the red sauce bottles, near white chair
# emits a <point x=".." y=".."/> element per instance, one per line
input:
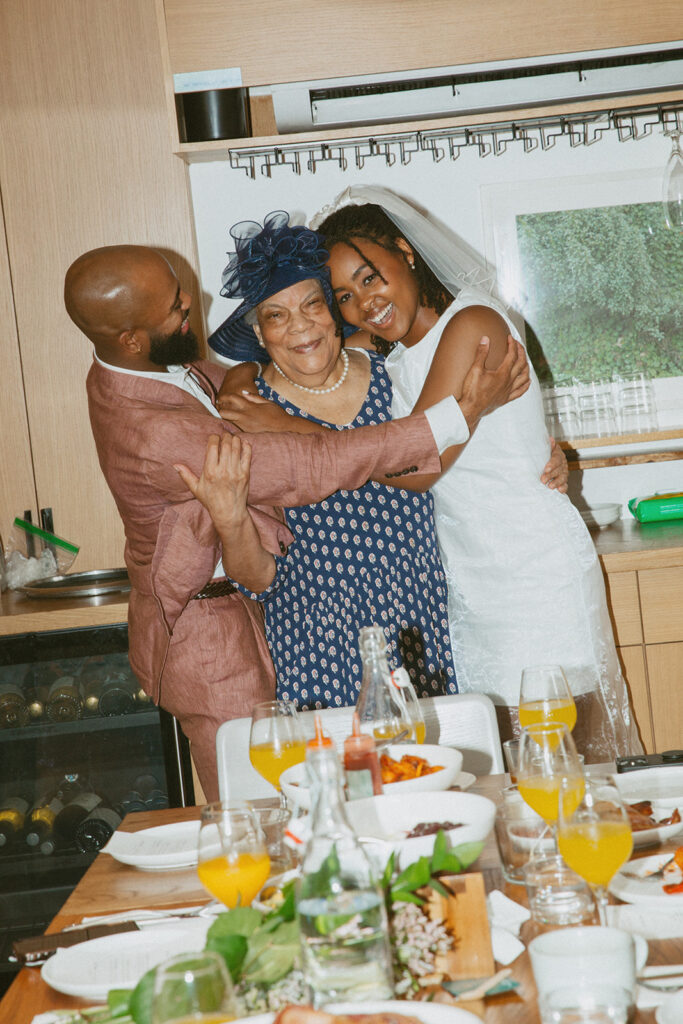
<point x="277" y="740"/>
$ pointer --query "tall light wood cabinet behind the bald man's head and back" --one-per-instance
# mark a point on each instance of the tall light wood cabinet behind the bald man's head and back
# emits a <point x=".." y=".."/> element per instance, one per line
<point x="86" y="161"/>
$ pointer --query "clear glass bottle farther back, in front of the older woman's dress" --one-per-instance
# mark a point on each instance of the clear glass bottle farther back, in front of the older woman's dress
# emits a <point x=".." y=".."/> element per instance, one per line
<point x="379" y="706"/>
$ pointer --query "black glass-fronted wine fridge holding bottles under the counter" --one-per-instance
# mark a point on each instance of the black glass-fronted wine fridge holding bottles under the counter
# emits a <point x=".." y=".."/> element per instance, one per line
<point x="81" y="746"/>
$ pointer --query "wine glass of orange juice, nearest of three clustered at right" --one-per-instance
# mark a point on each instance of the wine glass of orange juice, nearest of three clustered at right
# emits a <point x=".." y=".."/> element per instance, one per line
<point x="594" y="835"/>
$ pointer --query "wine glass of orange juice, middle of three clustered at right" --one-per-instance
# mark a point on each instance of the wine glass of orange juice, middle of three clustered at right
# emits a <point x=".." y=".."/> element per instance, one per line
<point x="547" y="756"/>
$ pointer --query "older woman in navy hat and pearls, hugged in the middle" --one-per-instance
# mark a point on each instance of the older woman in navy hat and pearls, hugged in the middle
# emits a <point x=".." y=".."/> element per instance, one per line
<point x="361" y="558"/>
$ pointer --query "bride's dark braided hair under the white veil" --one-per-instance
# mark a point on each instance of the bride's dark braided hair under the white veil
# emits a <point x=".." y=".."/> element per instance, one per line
<point x="371" y="223"/>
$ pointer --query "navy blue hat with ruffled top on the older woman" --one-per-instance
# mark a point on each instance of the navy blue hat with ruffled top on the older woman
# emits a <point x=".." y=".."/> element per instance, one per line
<point x="267" y="261"/>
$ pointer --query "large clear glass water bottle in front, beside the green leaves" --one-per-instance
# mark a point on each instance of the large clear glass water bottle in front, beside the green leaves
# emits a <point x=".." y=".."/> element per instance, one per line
<point x="343" y="917"/>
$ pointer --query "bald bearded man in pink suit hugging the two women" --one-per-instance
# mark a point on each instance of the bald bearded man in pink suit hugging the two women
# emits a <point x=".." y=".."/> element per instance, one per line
<point x="195" y="644"/>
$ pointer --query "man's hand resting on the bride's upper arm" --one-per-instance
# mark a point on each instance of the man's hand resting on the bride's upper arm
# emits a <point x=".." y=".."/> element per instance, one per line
<point x="485" y="391"/>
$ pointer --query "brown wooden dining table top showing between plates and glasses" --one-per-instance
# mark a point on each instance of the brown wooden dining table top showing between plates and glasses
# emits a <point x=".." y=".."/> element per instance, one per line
<point x="111" y="887"/>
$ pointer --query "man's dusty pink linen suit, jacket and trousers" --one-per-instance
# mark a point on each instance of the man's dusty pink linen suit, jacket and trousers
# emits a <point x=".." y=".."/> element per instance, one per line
<point x="208" y="661"/>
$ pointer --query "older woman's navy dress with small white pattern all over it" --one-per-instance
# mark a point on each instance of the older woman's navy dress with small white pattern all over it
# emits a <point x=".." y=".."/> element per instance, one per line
<point x="361" y="558"/>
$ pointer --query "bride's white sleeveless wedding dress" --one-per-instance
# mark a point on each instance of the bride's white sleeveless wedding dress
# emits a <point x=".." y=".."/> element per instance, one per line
<point x="525" y="583"/>
